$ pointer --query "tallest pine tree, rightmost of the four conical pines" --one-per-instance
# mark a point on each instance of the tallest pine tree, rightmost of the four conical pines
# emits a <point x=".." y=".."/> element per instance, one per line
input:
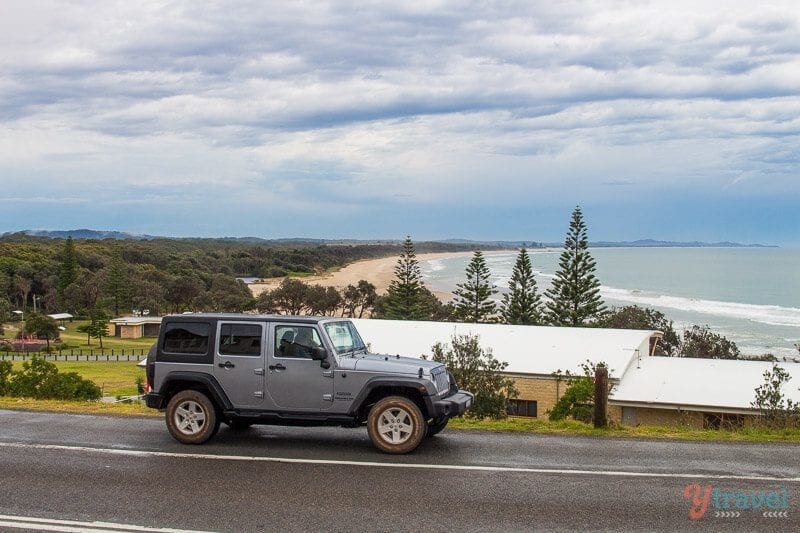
<point x="575" y="292"/>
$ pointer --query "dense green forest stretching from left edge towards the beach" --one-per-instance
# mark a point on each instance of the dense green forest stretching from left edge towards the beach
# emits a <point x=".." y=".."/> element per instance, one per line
<point x="113" y="277"/>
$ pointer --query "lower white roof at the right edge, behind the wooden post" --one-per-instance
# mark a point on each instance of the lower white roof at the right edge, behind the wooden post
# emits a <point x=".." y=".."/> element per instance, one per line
<point x="690" y="384"/>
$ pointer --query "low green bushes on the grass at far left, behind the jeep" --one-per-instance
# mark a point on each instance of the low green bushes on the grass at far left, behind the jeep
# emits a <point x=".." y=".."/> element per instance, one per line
<point x="40" y="379"/>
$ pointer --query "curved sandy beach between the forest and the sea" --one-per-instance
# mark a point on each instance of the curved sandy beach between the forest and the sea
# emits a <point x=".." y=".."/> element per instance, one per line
<point x="379" y="272"/>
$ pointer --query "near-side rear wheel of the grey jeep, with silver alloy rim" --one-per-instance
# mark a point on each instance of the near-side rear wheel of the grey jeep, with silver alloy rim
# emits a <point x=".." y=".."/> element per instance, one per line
<point x="191" y="417"/>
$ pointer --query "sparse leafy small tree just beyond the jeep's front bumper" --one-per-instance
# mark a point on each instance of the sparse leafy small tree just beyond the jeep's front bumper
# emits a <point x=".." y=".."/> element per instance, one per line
<point x="475" y="369"/>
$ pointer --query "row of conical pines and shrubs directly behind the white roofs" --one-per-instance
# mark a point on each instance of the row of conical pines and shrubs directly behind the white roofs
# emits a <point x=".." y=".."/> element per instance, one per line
<point x="573" y="299"/>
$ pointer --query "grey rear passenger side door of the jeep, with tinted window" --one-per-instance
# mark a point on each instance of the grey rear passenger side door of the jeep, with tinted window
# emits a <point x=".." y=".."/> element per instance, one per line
<point x="239" y="364"/>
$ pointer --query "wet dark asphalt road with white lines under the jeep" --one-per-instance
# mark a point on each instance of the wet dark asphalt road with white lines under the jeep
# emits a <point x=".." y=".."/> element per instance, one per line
<point x="56" y="468"/>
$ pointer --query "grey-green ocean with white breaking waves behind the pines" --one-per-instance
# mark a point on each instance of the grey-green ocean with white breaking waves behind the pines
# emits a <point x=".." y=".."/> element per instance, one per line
<point x="749" y="295"/>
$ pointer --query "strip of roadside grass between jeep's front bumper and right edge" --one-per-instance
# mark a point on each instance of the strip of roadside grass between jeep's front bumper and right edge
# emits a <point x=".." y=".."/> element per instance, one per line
<point x="571" y="427"/>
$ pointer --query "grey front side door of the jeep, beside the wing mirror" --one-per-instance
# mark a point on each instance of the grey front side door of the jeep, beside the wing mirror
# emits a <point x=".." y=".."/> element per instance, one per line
<point x="295" y="382"/>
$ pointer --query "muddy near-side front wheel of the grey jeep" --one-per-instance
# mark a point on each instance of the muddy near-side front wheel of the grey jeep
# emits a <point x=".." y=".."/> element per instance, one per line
<point x="396" y="425"/>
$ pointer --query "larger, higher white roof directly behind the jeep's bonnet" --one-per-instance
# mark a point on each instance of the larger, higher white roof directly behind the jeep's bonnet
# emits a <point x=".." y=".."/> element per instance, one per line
<point x="536" y="350"/>
